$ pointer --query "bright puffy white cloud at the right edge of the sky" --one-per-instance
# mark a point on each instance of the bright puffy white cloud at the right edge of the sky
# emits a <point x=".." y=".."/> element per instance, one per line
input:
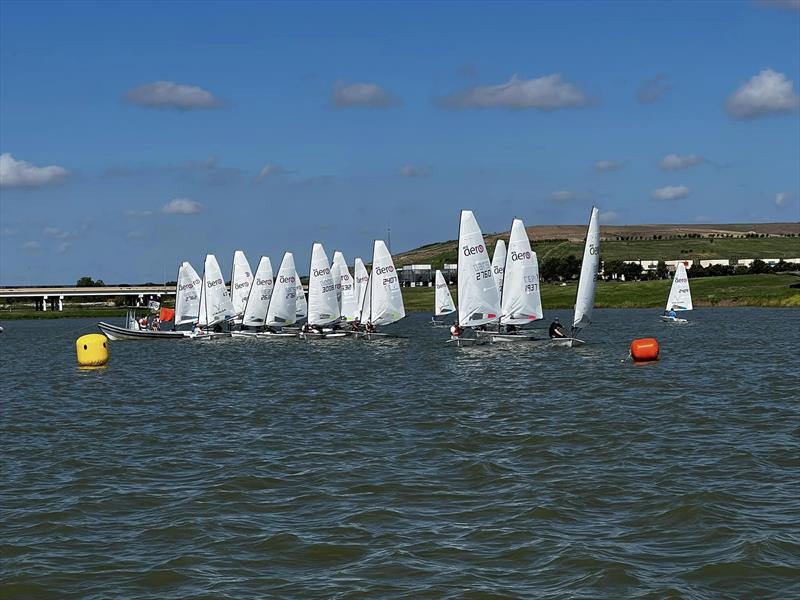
<point x="768" y="93"/>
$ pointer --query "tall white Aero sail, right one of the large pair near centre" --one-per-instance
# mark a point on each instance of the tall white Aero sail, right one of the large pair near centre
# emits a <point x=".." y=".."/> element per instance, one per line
<point x="521" y="300"/>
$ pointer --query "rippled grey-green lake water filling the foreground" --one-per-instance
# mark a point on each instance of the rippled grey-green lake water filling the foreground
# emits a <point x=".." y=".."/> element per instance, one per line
<point x="405" y="468"/>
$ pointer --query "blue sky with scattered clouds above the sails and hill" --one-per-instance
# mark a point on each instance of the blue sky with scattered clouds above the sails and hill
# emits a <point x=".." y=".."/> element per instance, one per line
<point x="173" y="130"/>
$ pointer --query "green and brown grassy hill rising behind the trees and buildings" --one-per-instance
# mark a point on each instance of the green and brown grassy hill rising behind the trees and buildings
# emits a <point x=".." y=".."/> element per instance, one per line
<point x="635" y="242"/>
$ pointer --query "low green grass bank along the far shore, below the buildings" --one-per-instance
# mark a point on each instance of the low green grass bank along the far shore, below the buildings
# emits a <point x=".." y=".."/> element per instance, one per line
<point x="737" y="290"/>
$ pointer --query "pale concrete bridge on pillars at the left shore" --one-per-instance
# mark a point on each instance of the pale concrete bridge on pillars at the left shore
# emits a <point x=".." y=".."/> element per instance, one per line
<point x="54" y="295"/>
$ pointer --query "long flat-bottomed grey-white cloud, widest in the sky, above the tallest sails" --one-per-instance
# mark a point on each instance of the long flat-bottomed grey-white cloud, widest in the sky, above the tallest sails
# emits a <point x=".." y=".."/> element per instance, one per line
<point x="546" y="93"/>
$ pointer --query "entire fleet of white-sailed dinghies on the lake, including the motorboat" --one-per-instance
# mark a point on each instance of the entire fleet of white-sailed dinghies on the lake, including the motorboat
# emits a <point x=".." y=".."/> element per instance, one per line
<point x="499" y="299"/>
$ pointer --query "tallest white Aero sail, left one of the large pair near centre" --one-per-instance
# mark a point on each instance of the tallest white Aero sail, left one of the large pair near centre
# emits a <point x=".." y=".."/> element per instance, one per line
<point x="478" y="298"/>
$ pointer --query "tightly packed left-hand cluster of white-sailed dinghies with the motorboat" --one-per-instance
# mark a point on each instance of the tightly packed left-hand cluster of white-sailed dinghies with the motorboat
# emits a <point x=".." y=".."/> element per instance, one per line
<point x="264" y="305"/>
